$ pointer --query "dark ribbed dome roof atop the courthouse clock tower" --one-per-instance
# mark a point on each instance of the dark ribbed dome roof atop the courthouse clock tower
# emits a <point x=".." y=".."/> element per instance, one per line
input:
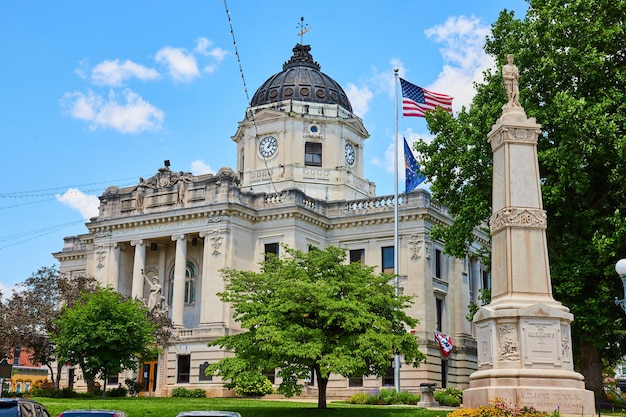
<point x="302" y="80"/>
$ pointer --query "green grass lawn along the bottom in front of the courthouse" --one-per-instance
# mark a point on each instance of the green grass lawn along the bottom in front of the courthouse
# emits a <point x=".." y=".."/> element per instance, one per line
<point x="169" y="407"/>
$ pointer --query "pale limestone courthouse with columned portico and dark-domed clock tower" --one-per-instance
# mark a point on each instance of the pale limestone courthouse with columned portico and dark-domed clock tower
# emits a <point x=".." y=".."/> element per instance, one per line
<point x="298" y="181"/>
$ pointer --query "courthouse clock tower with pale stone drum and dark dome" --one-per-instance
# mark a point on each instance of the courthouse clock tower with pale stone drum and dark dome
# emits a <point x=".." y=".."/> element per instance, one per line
<point x="300" y="132"/>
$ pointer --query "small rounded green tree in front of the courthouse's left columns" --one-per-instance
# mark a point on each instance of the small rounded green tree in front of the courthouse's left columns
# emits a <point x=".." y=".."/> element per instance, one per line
<point x="104" y="333"/>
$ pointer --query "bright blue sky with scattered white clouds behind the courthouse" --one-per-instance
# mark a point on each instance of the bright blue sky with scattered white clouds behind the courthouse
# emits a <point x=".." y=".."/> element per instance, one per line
<point x="98" y="93"/>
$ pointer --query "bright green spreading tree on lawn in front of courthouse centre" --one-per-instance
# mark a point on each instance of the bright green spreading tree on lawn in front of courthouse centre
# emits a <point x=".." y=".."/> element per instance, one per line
<point x="310" y="311"/>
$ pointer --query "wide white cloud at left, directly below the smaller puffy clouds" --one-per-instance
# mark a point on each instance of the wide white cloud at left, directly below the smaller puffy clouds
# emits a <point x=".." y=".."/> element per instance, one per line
<point x="131" y="114"/>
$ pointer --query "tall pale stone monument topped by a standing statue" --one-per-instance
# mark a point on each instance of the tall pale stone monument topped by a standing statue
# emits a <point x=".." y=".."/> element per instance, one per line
<point x="523" y="335"/>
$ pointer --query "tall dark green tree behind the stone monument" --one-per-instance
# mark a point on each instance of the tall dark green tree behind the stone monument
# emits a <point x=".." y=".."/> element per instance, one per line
<point x="573" y="81"/>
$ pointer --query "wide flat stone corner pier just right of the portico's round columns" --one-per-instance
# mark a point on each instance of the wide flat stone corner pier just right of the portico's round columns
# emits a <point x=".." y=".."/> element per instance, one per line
<point x="211" y="310"/>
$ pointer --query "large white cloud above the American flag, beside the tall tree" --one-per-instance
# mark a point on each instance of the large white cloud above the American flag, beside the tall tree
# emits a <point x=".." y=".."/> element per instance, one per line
<point x="463" y="39"/>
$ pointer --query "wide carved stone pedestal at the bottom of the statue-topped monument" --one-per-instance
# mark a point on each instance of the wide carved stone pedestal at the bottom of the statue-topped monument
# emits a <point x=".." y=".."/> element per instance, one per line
<point x="525" y="359"/>
